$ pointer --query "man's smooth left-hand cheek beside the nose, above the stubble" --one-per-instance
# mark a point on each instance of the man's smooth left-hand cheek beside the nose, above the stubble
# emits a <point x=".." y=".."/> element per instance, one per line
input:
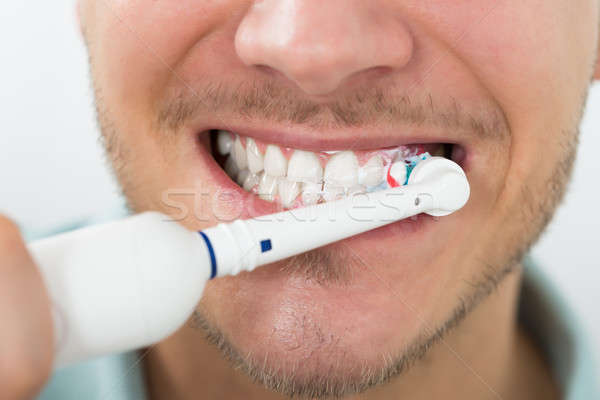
<point x="135" y="46"/>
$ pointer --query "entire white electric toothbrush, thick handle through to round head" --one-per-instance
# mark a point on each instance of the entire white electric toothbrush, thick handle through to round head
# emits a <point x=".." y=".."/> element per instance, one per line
<point x="131" y="283"/>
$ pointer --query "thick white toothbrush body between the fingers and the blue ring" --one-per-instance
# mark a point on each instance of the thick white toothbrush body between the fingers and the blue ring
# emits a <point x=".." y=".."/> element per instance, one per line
<point x="121" y="285"/>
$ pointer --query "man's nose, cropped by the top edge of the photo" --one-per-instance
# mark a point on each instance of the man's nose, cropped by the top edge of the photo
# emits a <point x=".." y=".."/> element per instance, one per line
<point x="320" y="45"/>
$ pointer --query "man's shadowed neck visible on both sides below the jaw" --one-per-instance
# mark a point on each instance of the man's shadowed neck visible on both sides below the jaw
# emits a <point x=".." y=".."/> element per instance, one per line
<point x="486" y="356"/>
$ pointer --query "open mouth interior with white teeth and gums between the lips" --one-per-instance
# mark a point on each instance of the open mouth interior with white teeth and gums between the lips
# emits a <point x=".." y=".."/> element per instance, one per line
<point x="293" y="177"/>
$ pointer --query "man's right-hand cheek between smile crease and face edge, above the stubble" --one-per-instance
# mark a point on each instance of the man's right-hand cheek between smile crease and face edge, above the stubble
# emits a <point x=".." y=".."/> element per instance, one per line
<point x="536" y="73"/>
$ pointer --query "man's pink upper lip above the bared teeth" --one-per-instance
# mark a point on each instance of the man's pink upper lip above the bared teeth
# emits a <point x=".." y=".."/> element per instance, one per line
<point x="337" y="138"/>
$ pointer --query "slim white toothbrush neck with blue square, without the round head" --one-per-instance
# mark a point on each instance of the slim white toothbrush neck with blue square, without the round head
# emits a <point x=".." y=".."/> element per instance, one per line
<point x="246" y="244"/>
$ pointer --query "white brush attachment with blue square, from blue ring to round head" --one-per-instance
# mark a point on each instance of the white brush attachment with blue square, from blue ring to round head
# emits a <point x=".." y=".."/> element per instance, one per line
<point x="437" y="186"/>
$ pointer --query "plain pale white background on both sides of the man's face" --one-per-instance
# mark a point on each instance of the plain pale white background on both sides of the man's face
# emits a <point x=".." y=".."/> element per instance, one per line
<point x="52" y="168"/>
